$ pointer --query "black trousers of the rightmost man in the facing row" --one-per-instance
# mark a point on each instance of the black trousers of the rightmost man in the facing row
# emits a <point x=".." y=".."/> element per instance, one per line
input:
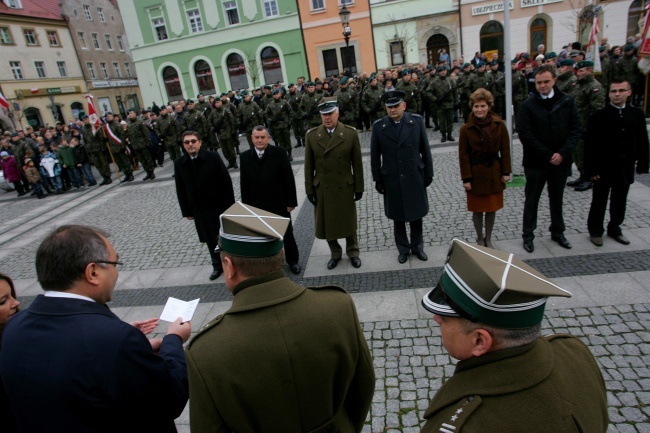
<point x="595" y="221"/>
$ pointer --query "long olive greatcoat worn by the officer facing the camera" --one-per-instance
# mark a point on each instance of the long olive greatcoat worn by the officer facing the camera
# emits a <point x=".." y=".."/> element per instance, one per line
<point x="334" y="172"/>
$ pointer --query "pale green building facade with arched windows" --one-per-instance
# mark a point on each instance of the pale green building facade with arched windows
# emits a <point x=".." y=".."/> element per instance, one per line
<point x="184" y="47"/>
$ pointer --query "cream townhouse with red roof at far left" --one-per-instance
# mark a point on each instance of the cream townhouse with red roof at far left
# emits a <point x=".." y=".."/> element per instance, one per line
<point x="40" y="74"/>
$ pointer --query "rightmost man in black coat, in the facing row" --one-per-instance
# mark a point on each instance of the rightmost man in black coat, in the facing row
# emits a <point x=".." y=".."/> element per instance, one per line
<point x="611" y="168"/>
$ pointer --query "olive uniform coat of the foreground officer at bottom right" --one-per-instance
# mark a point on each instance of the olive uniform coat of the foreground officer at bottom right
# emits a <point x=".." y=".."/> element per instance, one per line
<point x="550" y="385"/>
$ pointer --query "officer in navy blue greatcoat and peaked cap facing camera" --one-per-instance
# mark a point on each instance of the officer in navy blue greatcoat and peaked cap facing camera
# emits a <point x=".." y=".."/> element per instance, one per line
<point x="402" y="168"/>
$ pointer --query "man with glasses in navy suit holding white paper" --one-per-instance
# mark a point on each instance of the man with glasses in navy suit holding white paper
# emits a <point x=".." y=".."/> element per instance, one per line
<point x="70" y="365"/>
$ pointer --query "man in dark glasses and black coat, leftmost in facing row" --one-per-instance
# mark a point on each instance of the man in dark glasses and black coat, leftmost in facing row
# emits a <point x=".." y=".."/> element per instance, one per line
<point x="204" y="191"/>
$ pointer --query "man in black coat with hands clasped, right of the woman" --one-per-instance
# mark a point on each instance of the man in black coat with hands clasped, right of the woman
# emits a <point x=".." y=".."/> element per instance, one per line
<point x="549" y="129"/>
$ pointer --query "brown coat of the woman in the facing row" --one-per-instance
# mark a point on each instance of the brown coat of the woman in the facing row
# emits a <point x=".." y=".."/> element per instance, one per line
<point x="485" y="180"/>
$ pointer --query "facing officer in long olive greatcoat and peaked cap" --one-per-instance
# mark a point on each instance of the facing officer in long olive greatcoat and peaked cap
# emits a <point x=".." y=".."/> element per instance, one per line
<point x="334" y="181"/>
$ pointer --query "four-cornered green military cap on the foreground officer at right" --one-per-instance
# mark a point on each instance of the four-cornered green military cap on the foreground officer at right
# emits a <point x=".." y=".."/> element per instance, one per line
<point x="491" y="287"/>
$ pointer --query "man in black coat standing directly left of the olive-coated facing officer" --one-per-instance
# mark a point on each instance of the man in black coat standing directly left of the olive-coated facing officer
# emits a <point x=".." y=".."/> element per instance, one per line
<point x="267" y="182"/>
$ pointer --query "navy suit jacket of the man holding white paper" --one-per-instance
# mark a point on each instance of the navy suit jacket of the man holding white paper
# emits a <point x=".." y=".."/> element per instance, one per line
<point x="71" y="365"/>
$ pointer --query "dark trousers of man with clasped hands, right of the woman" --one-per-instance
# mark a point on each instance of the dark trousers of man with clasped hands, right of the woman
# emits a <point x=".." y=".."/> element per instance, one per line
<point x="555" y="178"/>
